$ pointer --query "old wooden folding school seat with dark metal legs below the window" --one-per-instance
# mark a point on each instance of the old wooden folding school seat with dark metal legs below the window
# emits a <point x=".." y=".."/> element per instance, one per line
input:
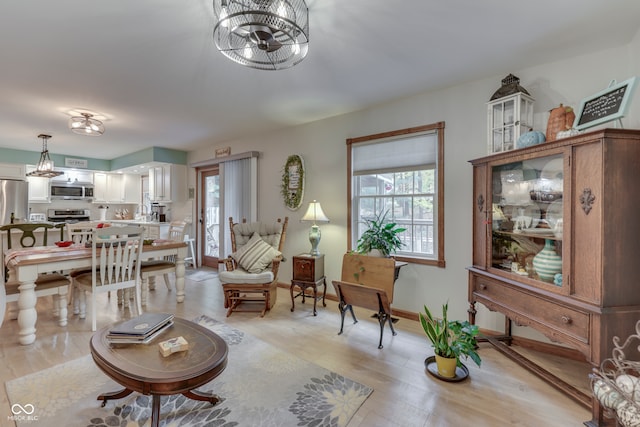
<point x="367" y="282"/>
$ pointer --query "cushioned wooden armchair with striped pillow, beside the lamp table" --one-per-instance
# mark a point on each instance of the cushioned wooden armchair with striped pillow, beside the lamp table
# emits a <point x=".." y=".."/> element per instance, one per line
<point x="251" y="274"/>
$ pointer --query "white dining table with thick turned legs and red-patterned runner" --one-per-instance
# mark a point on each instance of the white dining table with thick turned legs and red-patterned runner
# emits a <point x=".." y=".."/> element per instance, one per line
<point x="25" y="264"/>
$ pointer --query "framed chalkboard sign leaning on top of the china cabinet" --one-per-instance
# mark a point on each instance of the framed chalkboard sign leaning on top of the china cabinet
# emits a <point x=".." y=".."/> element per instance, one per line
<point x="605" y="106"/>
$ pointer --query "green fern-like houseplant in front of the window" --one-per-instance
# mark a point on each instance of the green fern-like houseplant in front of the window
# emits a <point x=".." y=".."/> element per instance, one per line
<point x="380" y="234"/>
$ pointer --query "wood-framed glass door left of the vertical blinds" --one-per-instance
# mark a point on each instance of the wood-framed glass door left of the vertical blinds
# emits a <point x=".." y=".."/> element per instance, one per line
<point x="210" y="217"/>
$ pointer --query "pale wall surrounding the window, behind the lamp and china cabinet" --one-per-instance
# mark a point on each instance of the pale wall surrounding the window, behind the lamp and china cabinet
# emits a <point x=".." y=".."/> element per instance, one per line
<point x="463" y="109"/>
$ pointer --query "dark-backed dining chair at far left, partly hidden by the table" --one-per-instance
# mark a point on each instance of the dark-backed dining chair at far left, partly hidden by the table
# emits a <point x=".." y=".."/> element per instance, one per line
<point x="54" y="284"/>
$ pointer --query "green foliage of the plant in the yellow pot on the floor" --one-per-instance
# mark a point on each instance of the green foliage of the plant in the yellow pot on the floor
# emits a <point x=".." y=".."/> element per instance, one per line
<point x="450" y="338"/>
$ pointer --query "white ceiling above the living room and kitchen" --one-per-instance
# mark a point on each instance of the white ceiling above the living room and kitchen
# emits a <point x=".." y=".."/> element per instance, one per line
<point x="150" y="66"/>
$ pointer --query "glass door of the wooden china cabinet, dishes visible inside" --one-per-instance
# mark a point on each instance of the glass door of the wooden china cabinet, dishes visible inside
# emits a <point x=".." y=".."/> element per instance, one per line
<point x="527" y="218"/>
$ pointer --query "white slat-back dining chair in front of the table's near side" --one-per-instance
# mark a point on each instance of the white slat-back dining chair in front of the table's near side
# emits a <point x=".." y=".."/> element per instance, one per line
<point x="115" y="257"/>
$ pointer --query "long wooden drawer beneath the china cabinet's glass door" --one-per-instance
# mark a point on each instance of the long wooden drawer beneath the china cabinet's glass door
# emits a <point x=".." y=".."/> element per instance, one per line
<point x="523" y="307"/>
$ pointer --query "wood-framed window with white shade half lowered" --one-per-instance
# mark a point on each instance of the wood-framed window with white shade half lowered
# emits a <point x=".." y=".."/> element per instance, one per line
<point x="399" y="175"/>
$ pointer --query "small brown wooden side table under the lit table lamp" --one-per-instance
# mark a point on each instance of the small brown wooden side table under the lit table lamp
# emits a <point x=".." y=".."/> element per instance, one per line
<point x="308" y="272"/>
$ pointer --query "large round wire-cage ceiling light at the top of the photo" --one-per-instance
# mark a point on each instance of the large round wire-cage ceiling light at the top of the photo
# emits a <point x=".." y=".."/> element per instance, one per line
<point x="262" y="34"/>
